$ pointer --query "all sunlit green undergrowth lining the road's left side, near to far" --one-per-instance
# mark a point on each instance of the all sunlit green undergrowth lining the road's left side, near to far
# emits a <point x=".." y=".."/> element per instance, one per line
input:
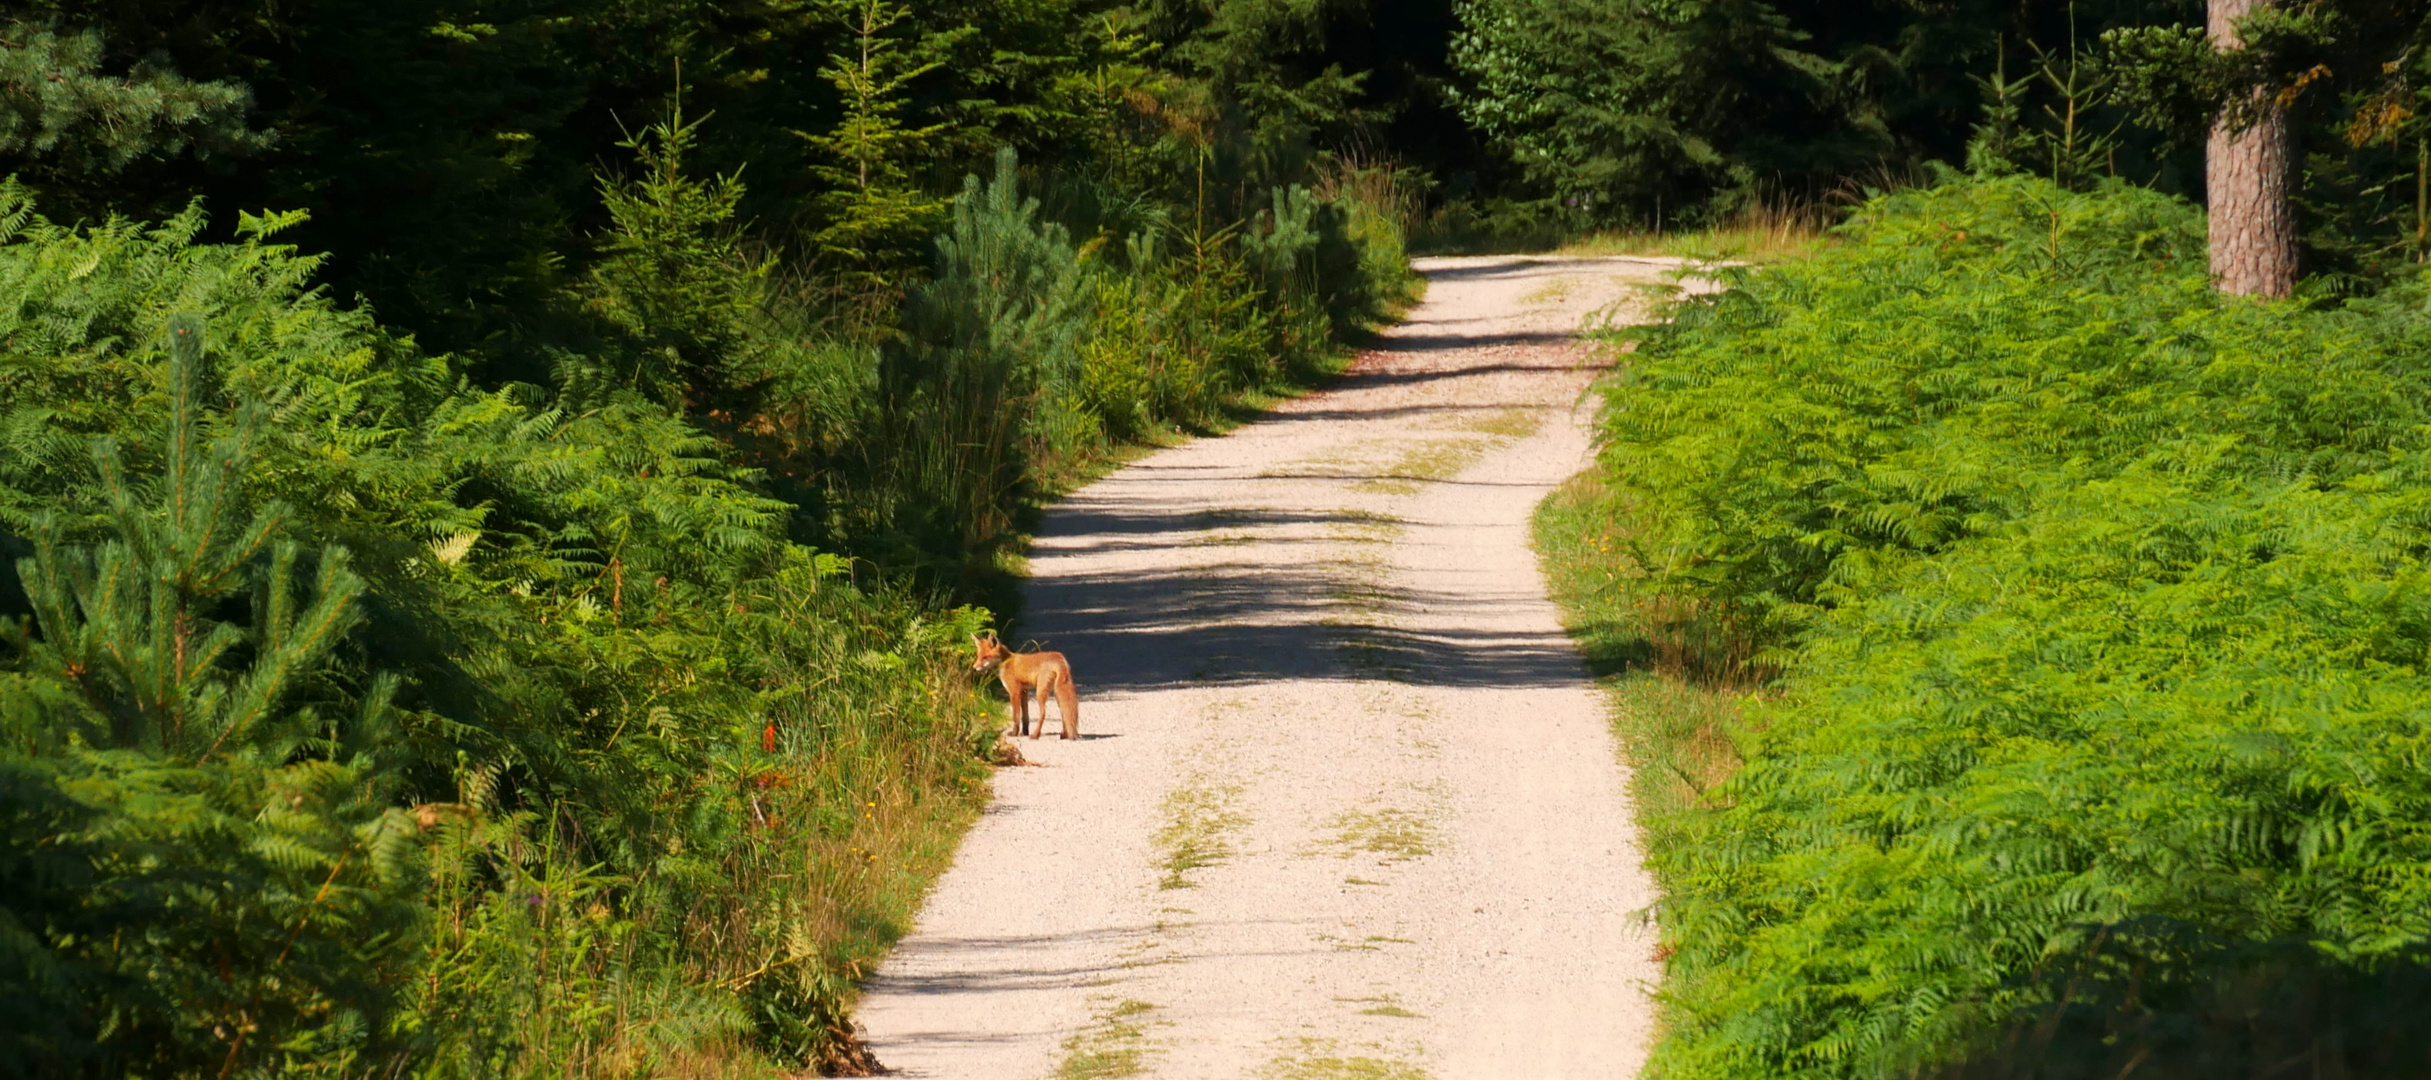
<point x="359" y="719"/>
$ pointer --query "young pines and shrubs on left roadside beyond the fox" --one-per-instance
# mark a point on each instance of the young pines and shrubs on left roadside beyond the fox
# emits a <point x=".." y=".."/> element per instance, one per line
<point x="1022" y="361"/>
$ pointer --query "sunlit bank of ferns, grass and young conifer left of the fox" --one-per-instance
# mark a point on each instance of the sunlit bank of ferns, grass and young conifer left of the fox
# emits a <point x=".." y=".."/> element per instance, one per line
<point x="631" y="721"/>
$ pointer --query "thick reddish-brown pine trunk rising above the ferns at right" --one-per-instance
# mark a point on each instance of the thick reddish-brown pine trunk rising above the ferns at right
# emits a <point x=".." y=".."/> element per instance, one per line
<point x="2247" y="184"/>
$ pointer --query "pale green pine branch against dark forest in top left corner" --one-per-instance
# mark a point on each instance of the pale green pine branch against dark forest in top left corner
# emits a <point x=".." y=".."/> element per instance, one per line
<point x="57" y="106"/>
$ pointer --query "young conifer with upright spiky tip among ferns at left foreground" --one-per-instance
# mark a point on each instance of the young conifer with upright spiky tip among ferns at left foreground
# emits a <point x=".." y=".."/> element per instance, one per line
<point x="205" y="865"/>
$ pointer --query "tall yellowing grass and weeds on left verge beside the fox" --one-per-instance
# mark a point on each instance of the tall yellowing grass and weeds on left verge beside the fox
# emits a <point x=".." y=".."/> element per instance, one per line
<point x="789" y="867"/>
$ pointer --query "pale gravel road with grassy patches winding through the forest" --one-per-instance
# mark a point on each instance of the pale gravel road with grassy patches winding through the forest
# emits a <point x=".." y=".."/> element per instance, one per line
<point x="1346" y="804"/>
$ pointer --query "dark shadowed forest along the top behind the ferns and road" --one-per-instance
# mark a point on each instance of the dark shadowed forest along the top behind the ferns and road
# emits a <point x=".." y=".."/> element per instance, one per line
<point x="446" y="152"/>
